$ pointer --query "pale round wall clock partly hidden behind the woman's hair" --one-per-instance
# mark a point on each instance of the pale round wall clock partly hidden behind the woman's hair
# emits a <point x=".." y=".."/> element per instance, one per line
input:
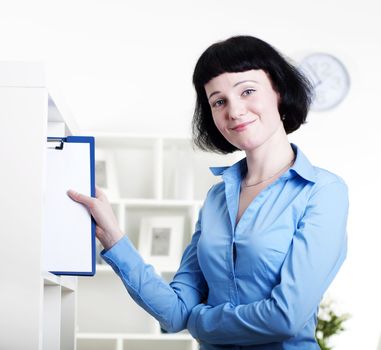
<point x="329" y="78"/>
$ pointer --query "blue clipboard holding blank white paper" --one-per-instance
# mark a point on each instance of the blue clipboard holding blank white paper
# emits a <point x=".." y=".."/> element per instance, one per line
<point x="69" y="229"/>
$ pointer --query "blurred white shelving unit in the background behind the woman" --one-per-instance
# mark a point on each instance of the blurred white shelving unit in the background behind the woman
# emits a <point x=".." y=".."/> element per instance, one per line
<point x="151" y="175"/>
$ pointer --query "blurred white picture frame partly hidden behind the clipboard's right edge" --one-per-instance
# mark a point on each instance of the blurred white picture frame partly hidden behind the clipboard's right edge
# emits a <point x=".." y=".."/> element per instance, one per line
<point x="105" y="173"/>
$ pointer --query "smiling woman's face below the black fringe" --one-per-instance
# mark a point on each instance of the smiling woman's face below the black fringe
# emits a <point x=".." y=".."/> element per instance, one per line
<point x="244" y="107"/>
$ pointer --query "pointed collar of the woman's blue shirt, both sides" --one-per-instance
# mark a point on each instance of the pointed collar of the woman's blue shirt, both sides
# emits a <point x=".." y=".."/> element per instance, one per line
<point x="301" y="166"/>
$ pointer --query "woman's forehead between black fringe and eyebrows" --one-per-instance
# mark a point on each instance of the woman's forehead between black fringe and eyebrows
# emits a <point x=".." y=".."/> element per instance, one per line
<point x="229" y="80"/>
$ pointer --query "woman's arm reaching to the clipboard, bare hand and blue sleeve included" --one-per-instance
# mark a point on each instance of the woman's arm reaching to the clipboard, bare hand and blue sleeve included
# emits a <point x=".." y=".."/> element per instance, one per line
<point x="170" y="304"/>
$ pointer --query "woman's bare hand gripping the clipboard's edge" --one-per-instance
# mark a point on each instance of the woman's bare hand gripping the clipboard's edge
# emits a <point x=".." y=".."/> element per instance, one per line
<point x="107" y="229"/>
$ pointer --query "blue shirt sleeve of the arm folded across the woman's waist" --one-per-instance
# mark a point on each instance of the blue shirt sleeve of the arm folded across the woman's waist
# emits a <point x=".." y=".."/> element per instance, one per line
<point x="315" y="255"/>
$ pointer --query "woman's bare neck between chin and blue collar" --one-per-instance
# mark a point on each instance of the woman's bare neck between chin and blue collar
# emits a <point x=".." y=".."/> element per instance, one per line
<point x="268" y="158"/>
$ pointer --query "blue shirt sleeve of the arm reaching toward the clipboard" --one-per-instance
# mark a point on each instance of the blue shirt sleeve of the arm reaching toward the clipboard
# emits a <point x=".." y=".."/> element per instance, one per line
<point x="170" y="303"/>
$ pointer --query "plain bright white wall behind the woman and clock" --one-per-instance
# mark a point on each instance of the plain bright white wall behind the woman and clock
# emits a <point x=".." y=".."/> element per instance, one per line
<point x="127" y="66"/>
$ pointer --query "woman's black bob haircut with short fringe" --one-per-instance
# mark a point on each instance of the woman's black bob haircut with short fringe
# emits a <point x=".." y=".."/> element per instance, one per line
<point x="239" y="54"/>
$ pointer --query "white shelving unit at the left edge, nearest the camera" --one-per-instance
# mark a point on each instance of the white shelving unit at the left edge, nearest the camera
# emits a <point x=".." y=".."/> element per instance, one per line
<point x="37" y="307"/>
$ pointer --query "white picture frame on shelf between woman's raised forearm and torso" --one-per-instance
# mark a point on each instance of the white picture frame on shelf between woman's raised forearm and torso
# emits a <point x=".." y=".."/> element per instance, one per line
<point x="161" y="241"/>
